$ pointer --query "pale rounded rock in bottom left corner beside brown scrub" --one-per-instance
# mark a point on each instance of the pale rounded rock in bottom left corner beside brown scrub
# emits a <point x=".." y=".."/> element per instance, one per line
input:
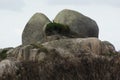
<point x="8" y="68"/>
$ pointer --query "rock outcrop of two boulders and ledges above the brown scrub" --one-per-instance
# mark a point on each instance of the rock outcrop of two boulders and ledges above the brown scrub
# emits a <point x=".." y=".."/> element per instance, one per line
<point x="84" y="40"/>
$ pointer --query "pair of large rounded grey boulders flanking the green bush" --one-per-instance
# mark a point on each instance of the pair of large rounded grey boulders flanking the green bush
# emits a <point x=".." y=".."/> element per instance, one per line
<point x="78" y="23"/>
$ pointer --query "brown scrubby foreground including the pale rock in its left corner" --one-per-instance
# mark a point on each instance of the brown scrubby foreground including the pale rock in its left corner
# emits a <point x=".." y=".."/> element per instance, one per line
<point x="55" y="66"/>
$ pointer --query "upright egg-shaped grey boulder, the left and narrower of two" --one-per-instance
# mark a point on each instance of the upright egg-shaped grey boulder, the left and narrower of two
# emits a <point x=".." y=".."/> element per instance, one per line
<point x="33" y="31"/>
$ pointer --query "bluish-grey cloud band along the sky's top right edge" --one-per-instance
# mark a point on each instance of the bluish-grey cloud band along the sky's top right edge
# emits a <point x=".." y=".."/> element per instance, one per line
<point x="84" y="2"/>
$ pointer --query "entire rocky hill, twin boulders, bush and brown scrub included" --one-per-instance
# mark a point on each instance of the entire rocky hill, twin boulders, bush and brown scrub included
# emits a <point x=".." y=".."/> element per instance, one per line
<point x="54" y="55"/>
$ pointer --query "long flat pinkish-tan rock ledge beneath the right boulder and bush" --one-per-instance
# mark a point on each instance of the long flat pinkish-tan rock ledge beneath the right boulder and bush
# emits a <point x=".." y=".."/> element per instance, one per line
<point x="75" y="46"/>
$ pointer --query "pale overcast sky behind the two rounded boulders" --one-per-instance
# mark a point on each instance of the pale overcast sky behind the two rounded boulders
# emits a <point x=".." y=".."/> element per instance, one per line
<point x="14" y="14"/>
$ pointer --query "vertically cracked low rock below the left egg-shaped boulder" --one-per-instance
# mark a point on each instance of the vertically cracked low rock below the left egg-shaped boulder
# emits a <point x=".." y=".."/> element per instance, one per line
<point x="27" y="53"/>
